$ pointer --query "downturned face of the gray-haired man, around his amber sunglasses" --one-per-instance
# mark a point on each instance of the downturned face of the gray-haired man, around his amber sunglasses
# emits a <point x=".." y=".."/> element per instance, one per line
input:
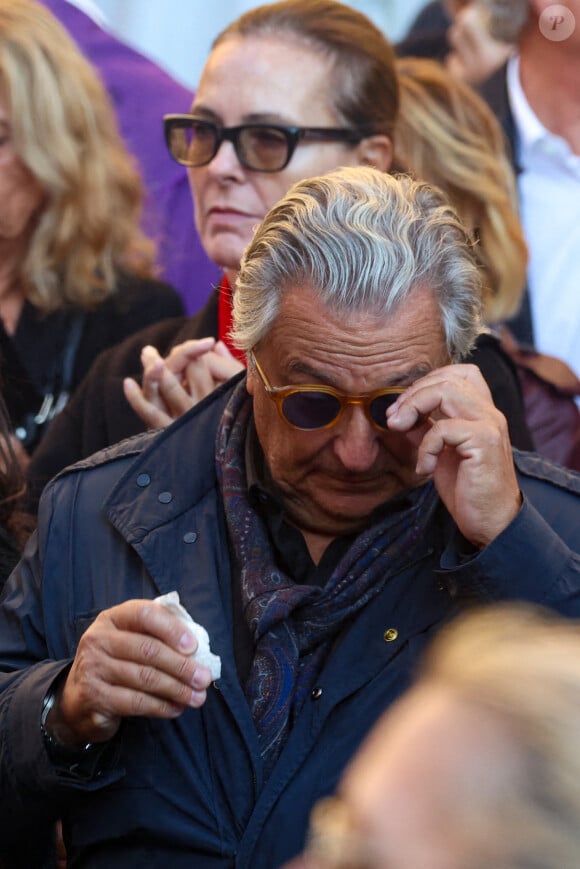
<point x="331" y="479"/>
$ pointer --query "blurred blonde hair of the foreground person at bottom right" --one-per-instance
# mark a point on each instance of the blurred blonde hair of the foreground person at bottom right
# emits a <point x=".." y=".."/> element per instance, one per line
<point x="521" y="664"/>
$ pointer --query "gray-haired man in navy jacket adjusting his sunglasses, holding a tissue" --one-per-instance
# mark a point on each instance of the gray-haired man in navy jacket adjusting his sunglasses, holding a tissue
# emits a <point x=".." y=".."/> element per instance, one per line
<point x="320" y="515"/>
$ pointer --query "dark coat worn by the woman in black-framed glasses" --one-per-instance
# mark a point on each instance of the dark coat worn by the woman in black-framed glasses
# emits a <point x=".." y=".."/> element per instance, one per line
<point x="99" y="415"/>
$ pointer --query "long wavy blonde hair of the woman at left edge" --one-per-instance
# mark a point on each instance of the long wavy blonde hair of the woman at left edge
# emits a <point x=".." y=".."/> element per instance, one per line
<point x="65" y="133"/>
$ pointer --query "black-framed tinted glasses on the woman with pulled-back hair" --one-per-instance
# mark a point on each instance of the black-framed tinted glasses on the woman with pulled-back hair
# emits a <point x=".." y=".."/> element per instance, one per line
<point x="262" y="147"/>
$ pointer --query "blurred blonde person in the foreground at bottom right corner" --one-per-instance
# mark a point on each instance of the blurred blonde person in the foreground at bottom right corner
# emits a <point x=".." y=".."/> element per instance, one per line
<point x="477" y="765"/>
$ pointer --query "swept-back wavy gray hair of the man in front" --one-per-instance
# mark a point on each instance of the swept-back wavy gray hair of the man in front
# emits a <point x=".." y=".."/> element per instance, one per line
<point x="362" y="240"/>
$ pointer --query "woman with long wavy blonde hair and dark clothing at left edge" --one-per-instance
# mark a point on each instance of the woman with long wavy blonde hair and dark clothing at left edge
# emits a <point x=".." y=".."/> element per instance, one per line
<point x="77" y="272"/>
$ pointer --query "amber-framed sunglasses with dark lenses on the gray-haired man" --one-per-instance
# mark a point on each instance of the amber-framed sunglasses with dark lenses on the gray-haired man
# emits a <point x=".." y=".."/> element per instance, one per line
<point x="317" y="407"/>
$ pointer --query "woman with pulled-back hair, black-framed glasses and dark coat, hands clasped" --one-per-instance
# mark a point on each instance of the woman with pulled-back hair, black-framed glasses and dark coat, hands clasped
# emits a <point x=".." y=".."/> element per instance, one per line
<point x="290" y="90"/>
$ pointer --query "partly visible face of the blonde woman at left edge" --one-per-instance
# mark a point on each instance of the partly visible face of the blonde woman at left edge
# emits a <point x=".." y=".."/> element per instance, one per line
<point x="20" y="194"/>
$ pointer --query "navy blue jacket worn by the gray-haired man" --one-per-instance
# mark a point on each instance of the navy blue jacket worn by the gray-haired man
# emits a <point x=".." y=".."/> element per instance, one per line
<point x="146" y="517"/>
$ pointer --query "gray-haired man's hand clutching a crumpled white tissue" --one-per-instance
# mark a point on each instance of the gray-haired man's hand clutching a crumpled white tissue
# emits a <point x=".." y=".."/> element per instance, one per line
<point x="134" y="660"/>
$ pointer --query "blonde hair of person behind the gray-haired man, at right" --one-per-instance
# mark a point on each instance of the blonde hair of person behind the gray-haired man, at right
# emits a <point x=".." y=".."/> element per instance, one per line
<point x="447" y="135"/>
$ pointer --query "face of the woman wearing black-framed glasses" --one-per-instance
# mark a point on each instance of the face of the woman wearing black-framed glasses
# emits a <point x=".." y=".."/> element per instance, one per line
<point x="262" y="79"/>
